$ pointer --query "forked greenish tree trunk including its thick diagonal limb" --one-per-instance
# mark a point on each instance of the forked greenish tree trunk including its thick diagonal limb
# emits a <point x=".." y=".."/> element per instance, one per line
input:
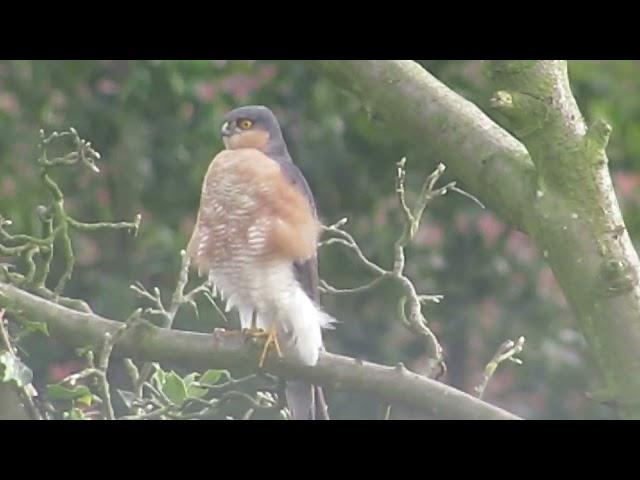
<point x="560" y="192"/>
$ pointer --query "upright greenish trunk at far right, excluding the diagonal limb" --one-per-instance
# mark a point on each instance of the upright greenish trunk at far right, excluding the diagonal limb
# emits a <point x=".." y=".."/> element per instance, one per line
<point x="576" y="219"/>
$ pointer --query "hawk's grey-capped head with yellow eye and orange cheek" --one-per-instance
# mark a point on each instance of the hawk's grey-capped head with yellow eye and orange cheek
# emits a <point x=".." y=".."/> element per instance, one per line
<point x="253" y="126"/>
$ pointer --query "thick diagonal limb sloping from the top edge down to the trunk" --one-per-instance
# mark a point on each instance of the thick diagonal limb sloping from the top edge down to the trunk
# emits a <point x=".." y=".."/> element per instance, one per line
<point x="492" y="164"/>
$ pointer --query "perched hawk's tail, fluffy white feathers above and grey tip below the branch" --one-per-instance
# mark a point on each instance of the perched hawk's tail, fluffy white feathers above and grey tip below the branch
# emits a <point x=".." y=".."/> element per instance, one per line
<point x="306" y="320"/>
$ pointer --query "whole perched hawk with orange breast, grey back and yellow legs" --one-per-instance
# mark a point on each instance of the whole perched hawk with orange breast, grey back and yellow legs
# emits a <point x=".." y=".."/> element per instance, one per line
<point x="256" y="236"/>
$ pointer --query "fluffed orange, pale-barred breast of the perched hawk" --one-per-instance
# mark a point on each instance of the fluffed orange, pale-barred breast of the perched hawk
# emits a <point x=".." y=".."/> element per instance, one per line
<point x="250" y="215"/>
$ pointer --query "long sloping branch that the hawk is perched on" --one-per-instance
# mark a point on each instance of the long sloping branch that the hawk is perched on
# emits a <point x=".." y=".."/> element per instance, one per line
<point x="231" y="349"/>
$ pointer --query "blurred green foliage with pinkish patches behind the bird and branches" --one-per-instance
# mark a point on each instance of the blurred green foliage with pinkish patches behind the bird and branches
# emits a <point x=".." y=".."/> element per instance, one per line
<point x="156" y="125"/>
